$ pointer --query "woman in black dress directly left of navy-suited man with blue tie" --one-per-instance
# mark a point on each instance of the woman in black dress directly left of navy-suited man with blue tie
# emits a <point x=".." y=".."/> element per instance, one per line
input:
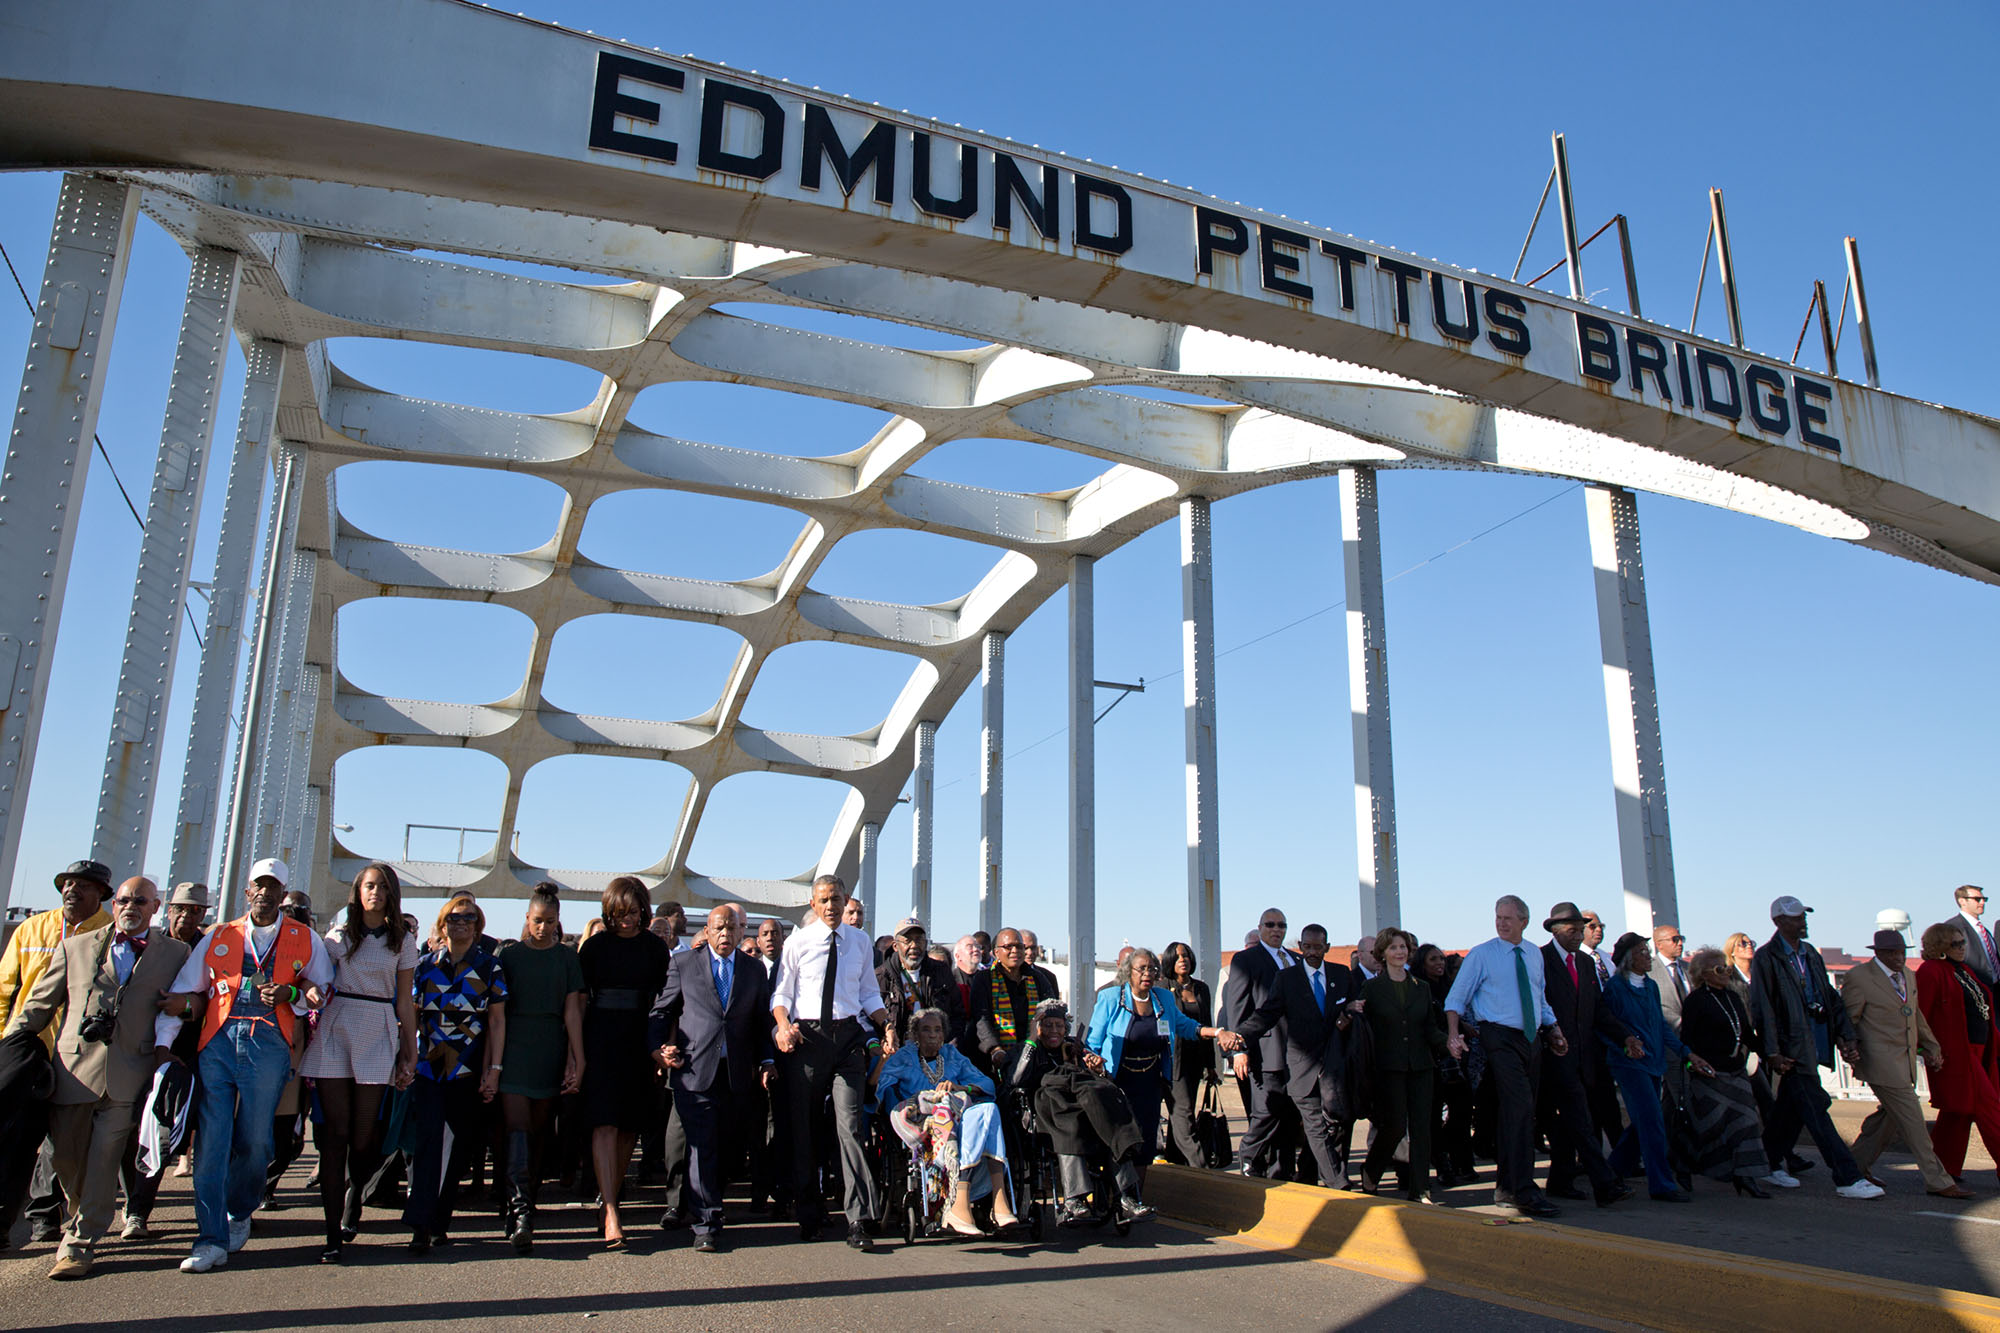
<point x="625" y="968"/>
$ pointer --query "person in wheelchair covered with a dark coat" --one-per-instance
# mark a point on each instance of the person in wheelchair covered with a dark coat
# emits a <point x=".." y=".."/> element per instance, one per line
<point x="1081" y="1112"/>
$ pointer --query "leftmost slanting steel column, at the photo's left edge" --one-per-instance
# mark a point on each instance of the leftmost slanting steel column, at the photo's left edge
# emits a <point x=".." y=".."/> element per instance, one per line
<point x="47" y="465"/>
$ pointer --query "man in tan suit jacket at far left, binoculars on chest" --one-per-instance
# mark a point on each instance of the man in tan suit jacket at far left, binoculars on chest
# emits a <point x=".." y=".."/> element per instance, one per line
<point x="105" y="990"/>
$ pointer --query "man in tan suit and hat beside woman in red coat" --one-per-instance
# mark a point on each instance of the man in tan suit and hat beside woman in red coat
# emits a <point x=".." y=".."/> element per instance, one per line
<point x="1881" y="1000"/>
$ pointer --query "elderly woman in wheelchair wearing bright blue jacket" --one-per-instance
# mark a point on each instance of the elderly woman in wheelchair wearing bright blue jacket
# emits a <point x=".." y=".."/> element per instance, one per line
<point x="941" y="1106"/>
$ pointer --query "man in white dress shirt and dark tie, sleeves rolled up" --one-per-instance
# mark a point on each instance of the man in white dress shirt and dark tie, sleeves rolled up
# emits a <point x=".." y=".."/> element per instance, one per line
<point x="827" y="988"/>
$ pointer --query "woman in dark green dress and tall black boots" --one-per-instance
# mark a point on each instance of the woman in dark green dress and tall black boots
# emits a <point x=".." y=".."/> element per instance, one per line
<point x="545" y="1050"/>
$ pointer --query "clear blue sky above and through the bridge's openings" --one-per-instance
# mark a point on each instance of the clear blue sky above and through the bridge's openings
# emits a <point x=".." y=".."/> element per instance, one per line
<point x="1829" y="712"/>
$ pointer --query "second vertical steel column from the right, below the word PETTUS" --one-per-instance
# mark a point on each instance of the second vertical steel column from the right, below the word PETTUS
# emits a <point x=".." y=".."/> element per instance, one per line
<point x="1375" y="770"/>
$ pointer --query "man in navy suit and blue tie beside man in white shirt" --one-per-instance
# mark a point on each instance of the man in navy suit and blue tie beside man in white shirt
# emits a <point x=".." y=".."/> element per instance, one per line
<point x="711" y="1032"/>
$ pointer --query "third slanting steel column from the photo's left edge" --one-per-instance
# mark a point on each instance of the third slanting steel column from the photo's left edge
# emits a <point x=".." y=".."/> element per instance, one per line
<point x="229" y="595"/>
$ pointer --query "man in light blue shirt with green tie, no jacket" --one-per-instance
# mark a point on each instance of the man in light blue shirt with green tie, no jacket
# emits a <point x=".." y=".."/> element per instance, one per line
<point x="1501" y="990"/>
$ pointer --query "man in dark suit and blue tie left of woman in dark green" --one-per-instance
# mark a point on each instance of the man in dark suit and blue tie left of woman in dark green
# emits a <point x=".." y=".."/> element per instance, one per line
<point x="1309" y="1012"/>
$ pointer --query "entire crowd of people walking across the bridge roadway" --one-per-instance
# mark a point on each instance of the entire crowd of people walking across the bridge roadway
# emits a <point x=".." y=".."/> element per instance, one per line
<point x="797" y="1060"/>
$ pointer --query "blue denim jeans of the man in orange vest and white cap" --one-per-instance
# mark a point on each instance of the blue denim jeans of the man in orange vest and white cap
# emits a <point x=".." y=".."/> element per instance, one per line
<point x="245" y="1070"/>
